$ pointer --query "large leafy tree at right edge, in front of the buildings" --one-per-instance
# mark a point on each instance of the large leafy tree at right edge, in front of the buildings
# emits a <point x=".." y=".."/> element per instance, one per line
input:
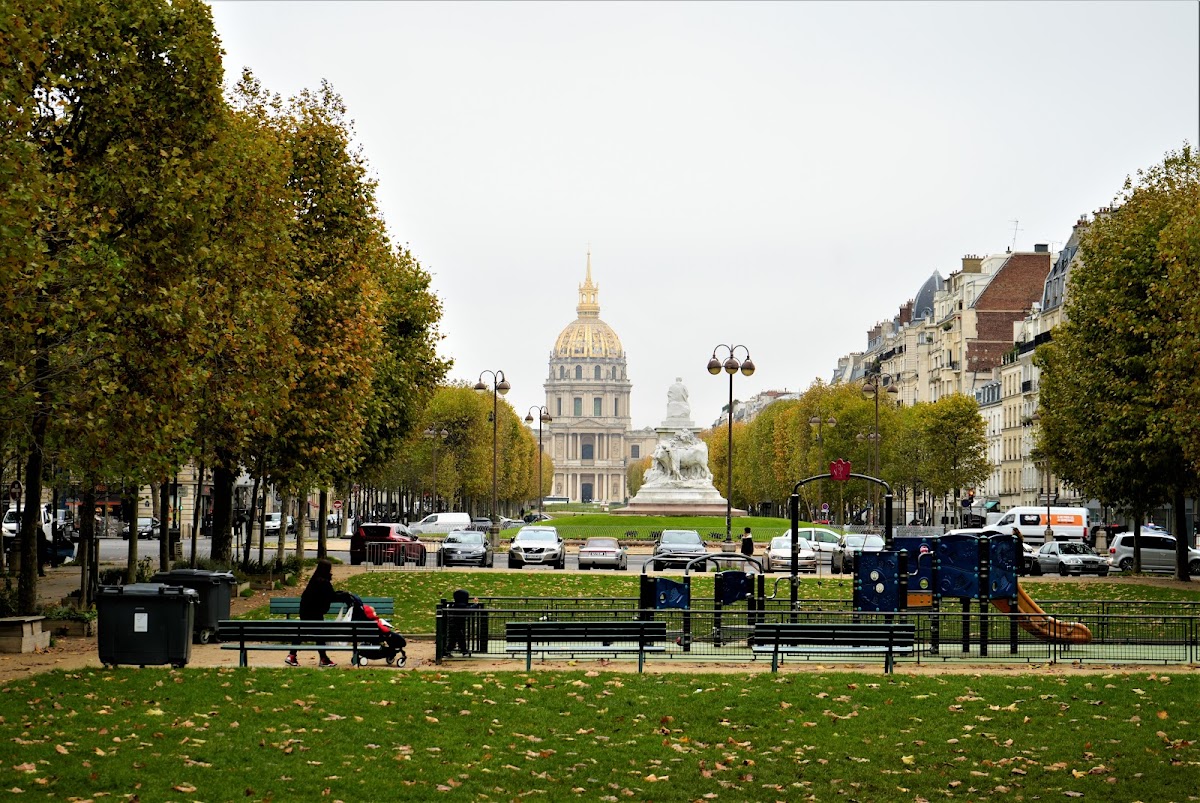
<point x="1119" y="381"/>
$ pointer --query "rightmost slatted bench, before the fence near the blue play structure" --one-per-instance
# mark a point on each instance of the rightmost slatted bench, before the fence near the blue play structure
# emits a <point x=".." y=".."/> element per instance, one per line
<point x="887" y="639"/>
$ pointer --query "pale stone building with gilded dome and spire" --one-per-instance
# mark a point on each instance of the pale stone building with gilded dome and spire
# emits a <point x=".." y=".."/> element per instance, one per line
<point x="587" y="395"/>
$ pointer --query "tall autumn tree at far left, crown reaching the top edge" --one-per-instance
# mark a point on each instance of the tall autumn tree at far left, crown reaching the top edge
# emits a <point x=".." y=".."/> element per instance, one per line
<point x="116" y="105"/>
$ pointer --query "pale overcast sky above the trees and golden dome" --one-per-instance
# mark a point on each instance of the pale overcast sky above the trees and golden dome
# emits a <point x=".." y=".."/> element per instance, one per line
<point x="781" y="176"/>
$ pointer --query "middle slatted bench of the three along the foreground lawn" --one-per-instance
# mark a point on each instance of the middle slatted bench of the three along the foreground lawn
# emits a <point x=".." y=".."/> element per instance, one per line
<point x="583" y="637"/>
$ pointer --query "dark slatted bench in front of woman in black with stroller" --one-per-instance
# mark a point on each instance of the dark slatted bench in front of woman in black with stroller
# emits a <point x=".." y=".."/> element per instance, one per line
<point x="287" y="636"/>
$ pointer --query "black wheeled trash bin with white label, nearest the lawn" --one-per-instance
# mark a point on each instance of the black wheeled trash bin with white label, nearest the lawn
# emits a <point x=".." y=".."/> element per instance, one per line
<point x="146" y="625"/>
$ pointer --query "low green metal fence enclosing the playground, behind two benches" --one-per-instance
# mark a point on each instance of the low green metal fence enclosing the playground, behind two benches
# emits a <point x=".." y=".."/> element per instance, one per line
<point x="710" y="634"/>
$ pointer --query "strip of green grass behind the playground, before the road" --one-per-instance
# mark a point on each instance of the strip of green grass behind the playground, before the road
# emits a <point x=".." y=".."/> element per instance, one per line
<point x="417" y="594"/>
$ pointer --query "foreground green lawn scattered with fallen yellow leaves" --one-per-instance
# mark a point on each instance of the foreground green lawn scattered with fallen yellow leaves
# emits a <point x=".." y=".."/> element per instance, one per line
<point x="386" y="735"/>
